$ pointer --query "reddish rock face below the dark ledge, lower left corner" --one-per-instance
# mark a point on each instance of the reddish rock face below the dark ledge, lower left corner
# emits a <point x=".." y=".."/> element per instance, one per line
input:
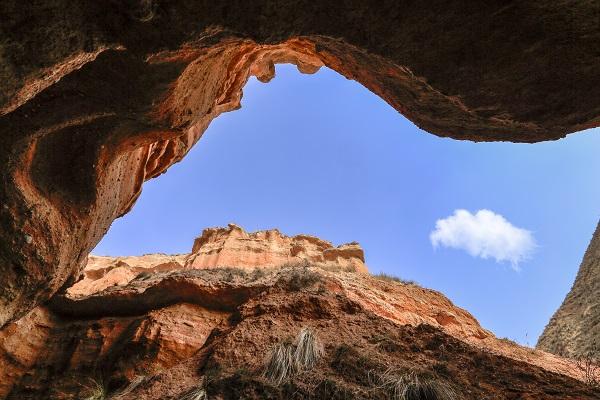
<point x="62" y="358"/>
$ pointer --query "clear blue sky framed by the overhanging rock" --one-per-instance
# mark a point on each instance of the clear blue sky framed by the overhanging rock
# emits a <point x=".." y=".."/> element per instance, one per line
<point x="320" y="154"/>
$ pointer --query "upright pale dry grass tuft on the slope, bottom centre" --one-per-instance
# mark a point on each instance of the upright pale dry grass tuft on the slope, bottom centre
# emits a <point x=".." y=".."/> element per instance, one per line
<point x="286" y="359"/>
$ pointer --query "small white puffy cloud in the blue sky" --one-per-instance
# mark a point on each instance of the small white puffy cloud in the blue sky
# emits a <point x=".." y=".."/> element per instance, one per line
<point x="484" y="234"/>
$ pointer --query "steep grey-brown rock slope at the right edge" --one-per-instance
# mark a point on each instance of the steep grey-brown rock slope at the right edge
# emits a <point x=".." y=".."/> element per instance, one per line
<point x="574" y="330"/>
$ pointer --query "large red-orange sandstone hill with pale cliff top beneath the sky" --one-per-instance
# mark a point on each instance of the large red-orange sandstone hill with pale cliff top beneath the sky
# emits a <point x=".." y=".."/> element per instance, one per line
<point x="160" y="326"/>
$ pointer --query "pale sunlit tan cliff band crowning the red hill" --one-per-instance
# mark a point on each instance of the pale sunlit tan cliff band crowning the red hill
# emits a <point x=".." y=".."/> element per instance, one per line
<point x="222" y="247"/>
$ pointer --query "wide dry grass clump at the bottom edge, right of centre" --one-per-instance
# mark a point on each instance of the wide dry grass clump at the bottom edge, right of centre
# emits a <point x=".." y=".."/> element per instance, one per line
<point x="412" y="386"/>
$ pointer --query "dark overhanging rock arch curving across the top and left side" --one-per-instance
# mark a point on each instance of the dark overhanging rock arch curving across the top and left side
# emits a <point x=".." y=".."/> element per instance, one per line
<point x="97" y="97"/>
